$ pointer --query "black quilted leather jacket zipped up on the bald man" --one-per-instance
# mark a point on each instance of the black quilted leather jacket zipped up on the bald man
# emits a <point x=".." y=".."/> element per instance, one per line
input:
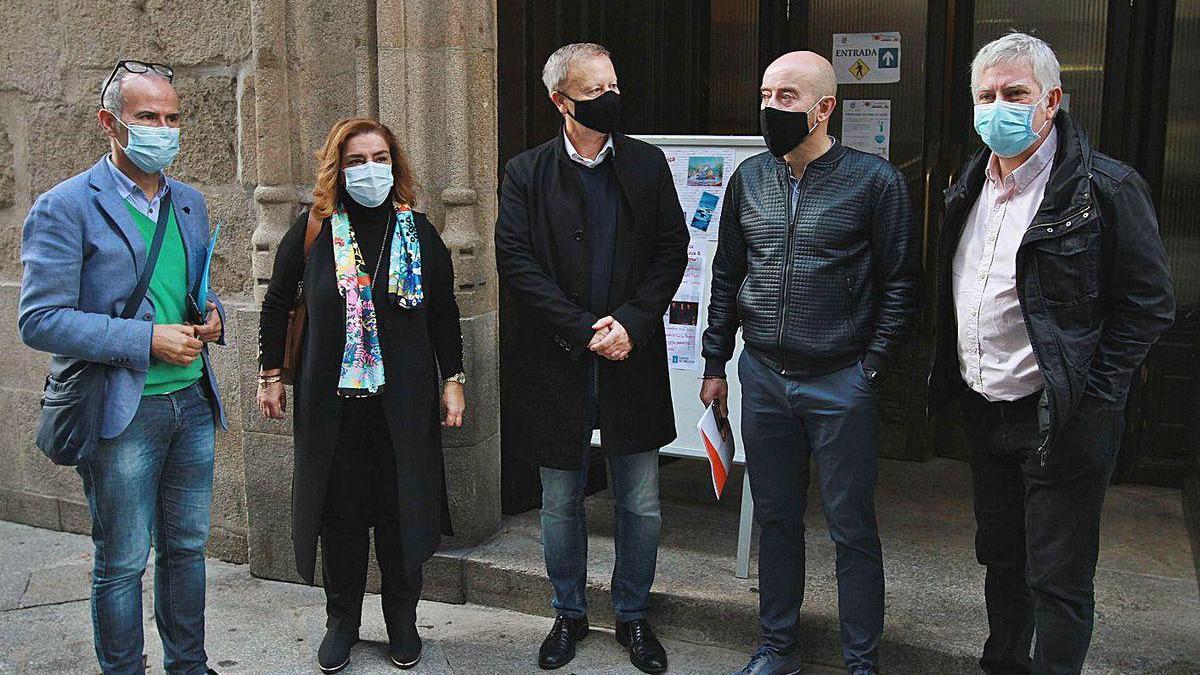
<point x="820" y="289"/>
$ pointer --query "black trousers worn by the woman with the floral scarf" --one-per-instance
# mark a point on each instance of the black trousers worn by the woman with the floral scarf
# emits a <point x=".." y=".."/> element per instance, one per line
<point x="362" y="494"/>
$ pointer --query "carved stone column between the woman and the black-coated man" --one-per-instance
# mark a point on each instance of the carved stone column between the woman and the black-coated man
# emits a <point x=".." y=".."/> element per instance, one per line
<point x="437" y="82"/>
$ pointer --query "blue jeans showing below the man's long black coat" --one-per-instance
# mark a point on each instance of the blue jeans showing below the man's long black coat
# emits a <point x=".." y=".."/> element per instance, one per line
<point x="639" y="523"/>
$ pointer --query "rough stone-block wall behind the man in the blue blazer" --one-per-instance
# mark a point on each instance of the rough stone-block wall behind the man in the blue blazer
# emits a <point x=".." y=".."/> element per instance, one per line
<point x="57" y="55"/>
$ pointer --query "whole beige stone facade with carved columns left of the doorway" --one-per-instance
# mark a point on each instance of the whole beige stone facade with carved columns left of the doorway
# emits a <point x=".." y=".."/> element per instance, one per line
<point x="261" y="82"/>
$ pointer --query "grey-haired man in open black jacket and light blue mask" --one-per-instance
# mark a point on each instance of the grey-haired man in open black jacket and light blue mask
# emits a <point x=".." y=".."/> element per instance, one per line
<point x="1053" y="285"/>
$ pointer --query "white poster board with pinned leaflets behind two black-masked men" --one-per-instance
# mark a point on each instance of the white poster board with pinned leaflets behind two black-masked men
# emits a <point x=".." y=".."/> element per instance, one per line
<point x="683" y="152"/>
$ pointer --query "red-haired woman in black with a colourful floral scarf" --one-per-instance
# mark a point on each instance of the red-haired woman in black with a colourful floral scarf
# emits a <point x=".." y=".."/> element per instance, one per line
<point x="380" y="368"/>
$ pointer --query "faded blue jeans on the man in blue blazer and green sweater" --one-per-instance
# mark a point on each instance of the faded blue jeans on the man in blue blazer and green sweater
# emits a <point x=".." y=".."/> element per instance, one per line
<point x="153" y="483"/>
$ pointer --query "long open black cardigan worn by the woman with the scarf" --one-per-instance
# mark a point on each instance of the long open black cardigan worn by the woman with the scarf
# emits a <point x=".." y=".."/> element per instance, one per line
<point x="417" y="344"/>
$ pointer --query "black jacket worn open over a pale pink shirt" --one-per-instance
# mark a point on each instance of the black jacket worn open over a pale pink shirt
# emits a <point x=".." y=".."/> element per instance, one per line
<point x="1091" y="278"/>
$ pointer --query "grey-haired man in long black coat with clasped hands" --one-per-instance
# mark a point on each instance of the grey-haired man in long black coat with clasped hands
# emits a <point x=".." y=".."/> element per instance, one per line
<point x="591" y="243"/>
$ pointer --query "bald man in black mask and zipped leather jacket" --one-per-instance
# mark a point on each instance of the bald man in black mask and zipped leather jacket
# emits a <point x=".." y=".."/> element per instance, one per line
<point x="818" y="264"/>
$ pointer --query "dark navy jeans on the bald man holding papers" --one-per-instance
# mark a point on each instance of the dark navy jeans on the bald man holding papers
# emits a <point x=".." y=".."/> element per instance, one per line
<point x="832" y="420"/>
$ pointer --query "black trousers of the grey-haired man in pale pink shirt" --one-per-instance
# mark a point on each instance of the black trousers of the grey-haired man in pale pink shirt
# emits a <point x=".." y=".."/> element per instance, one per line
<point x="1039" y="530"/>
